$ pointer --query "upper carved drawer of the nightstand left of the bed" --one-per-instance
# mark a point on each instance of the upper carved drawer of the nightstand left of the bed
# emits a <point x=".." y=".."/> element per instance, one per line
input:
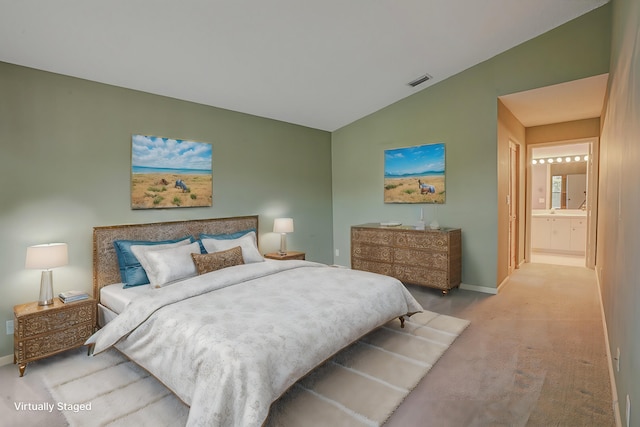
<point x="31" y="325"/>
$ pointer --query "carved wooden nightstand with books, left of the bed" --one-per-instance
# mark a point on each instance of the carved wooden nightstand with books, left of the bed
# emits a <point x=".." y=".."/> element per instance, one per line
<point x="42" y="331"/>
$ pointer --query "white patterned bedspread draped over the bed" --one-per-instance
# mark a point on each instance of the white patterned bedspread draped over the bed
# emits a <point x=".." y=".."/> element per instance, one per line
<point x="230" y="342"/>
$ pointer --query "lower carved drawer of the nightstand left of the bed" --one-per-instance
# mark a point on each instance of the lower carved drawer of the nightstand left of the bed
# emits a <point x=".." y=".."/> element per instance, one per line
<point x="45" y="345"/>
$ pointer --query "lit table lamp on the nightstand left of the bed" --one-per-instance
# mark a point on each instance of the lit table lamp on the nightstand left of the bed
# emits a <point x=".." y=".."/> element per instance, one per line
<point x="45" y="257"/>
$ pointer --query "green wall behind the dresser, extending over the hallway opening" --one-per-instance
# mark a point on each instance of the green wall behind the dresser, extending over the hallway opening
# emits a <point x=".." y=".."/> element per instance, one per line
<point x="461" y="112"/>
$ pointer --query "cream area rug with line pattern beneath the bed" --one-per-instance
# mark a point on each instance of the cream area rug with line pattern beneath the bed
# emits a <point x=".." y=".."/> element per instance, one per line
<point x="360" y="386"/>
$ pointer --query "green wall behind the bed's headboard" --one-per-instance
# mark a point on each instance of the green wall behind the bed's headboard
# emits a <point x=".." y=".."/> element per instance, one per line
<point x="66" y="161"/>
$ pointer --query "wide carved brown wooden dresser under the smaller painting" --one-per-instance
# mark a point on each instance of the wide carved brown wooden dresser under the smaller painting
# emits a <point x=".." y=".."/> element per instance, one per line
<point x="428" y="257"/>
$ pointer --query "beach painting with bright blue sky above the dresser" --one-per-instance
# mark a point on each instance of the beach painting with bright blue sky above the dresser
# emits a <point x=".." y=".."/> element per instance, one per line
<point x="415" y="174"/>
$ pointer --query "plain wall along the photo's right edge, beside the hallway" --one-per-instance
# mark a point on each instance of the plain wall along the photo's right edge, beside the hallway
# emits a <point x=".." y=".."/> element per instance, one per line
<point x="619" y="207"/>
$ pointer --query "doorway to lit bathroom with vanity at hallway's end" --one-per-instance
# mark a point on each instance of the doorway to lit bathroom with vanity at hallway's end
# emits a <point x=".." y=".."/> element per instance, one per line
<point x="562" y="202"/>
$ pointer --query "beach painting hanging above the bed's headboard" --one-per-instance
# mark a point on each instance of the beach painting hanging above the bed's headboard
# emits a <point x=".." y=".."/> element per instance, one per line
<point x="170" y="173"/>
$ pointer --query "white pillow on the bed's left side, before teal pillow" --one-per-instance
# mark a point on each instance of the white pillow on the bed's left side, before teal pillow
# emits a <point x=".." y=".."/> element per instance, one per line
<point x="168" y="265"/>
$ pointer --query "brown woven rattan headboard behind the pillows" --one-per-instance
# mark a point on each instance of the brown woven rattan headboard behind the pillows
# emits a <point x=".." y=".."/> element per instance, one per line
<point x="105" y="262"/>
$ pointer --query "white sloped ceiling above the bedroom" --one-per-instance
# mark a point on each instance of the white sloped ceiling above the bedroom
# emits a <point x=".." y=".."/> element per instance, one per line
<point x="322" y="64"/>
